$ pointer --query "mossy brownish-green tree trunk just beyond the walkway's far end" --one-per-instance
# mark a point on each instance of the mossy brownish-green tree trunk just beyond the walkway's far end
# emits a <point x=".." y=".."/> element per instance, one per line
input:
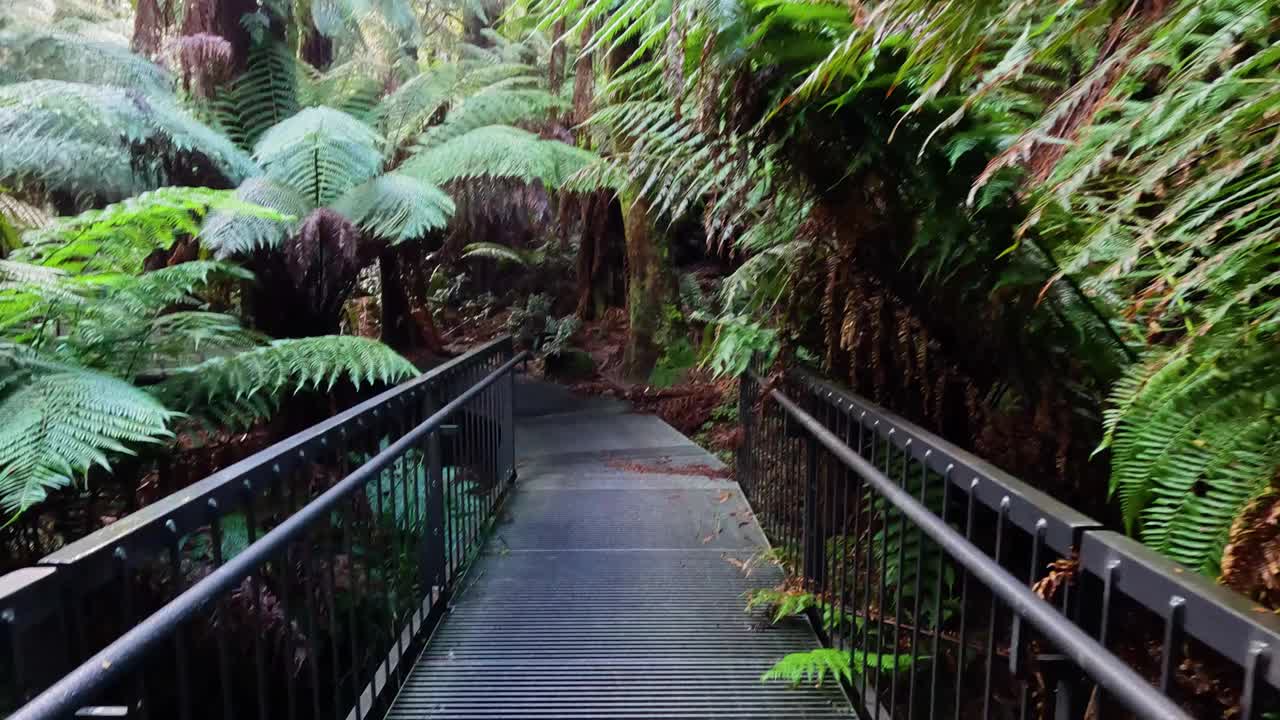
<point x="652" y="307"/>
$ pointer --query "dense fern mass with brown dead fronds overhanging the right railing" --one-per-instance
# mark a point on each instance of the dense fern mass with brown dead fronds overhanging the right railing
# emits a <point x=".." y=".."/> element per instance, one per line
<point x="1064" y="208"/>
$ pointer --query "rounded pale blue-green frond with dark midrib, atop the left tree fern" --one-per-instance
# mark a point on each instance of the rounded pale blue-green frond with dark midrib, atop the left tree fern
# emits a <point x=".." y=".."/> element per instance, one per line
<point x="322" y="153"/>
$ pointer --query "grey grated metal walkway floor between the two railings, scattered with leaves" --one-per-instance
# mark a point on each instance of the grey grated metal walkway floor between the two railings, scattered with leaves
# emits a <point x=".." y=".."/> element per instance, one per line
<point x="611" y="587"/>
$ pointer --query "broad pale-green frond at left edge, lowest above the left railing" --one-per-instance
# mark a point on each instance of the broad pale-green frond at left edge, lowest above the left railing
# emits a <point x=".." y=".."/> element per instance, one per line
<point x="61" y="423"/>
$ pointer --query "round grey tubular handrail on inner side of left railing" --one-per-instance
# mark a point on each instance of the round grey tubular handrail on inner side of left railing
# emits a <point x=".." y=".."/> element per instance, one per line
<point x="77" y="689"/>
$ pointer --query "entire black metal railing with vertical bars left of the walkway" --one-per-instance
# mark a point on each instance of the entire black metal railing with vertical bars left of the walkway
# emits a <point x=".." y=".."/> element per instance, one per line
<point x="298" y="584"/>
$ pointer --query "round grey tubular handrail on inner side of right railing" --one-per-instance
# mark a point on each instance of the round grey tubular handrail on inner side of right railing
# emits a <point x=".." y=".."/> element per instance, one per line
<point x="1107" y="669"/>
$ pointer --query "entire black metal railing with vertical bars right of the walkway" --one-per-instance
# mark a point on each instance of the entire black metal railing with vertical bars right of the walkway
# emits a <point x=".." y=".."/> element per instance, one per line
<point x="962" y="593"/>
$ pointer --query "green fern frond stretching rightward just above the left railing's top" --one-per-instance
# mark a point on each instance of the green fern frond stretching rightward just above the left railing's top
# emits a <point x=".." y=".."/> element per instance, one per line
<point x="248" y="386"/>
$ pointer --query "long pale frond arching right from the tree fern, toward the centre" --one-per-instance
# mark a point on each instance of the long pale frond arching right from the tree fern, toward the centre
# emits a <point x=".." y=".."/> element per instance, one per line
<point x="499" y="152"/>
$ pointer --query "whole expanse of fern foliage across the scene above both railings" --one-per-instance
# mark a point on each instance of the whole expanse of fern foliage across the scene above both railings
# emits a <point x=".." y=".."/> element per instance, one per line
<point x="1046" y="230"/>
